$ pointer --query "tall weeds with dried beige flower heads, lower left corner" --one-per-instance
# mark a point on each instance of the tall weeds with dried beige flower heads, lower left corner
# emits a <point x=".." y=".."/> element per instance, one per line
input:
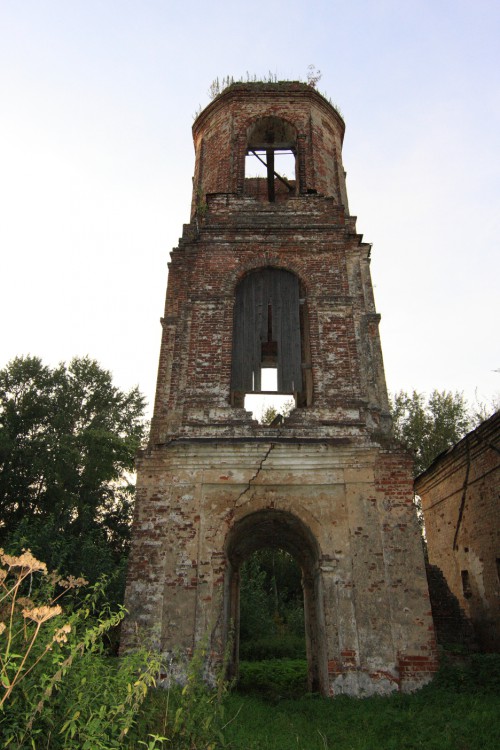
<point x="59" y="688"/>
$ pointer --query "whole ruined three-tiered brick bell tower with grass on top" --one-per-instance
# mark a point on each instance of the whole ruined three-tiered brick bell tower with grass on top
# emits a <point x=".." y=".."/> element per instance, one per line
<point x="270" y="275"/>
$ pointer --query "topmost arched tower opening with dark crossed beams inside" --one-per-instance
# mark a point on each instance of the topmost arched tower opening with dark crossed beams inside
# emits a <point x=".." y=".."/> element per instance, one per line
<point x="270" y="163"/>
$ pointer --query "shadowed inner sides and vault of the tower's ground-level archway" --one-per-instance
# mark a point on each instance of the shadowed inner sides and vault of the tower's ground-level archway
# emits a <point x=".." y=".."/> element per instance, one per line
<point x="277" y="529"/>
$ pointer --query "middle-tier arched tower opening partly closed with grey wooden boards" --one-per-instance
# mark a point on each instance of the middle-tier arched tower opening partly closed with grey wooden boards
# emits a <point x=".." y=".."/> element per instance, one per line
<point x="270" y="338"/>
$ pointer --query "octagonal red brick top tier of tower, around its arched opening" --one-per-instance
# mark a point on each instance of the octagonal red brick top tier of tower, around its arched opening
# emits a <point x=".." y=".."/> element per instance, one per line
<point x="220" y="136"/>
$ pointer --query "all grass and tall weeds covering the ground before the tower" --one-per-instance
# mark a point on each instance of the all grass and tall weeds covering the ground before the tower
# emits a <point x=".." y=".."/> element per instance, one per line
<point x="60" y="689"/>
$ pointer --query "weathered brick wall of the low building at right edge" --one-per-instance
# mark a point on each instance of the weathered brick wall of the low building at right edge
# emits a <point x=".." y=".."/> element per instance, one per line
<point x="460" y="495"/>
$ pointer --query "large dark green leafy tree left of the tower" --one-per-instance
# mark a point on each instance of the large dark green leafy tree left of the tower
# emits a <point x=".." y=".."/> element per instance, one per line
<point x="68" y="438"/>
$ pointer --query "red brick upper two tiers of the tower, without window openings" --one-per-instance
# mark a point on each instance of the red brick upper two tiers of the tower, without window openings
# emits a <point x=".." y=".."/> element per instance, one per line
<point x="231" y="234"/>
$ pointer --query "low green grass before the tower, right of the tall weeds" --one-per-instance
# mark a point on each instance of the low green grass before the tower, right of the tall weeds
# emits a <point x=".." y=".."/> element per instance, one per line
<point x="436" y="718"/>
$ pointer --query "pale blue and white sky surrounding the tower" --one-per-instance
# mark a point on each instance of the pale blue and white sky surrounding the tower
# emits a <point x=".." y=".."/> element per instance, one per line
<point x="96" y="106"/>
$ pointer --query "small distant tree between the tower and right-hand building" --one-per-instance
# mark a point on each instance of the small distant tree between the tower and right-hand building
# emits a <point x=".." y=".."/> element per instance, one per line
<point x="429" y="426"/>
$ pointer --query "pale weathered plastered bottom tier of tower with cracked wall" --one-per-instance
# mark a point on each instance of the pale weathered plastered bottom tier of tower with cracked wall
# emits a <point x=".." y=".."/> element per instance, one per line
<point x="346" y="515"/>
